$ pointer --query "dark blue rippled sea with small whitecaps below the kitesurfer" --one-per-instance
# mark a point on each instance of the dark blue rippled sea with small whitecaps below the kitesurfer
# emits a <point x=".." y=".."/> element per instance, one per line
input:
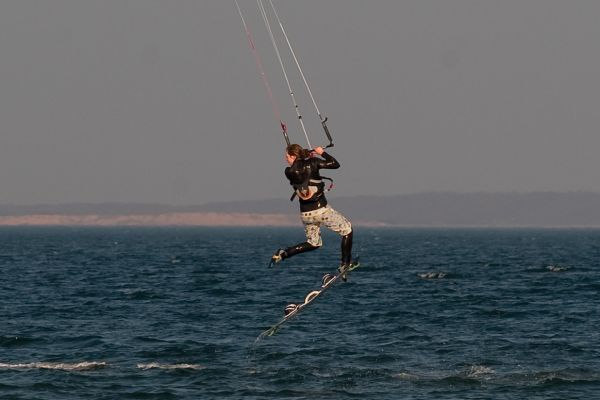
<point x="172" y="313"/>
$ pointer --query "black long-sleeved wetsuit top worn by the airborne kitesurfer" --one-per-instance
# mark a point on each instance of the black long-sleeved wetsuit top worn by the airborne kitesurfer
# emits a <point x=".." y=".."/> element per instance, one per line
<point x="302" y="172"/>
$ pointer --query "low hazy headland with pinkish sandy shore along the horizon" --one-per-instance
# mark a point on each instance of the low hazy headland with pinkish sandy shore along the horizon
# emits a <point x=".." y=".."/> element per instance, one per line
<point x="535" y="209"/>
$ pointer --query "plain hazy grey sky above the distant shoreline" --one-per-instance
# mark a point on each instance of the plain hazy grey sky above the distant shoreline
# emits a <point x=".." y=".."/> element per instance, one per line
<point x="161" y="101"/>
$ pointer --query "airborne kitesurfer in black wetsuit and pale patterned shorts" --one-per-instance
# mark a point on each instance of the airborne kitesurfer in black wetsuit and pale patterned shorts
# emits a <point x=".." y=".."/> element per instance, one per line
<point x="303" y="174"/>
